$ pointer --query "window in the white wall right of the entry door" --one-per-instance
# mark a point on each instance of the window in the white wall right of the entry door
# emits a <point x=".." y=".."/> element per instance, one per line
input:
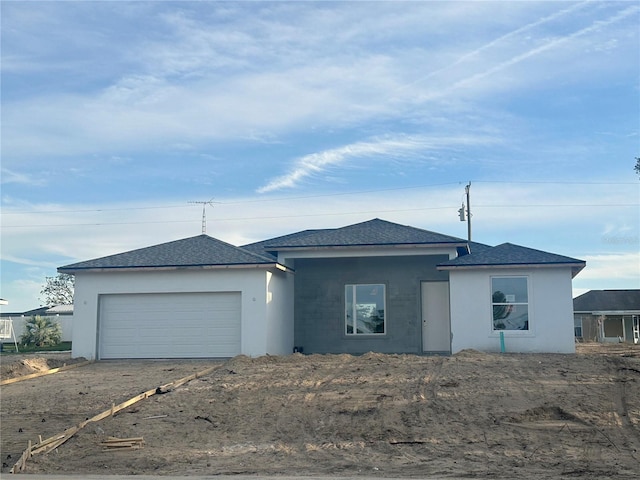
<point x="510" y="301"/>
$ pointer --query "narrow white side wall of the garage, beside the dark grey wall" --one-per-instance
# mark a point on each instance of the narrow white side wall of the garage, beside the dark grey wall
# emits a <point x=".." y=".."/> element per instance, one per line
<point x="279" y="332"/>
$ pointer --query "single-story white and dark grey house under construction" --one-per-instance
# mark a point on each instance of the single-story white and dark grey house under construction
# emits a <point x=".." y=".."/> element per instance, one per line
<point x="373" y="286"/>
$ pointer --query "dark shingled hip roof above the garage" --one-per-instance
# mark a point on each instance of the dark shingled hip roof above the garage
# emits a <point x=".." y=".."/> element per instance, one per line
<point x="200" y="251"/>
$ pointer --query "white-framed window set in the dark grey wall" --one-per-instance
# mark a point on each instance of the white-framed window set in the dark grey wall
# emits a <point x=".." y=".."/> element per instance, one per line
<point x="365" y="309"/>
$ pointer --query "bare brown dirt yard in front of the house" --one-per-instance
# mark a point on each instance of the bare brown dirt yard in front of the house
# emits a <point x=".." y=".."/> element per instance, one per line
<point x="468" y="415"/>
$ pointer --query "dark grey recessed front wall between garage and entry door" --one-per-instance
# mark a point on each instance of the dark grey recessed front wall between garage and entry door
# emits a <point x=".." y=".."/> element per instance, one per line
<point x="320" y="302"/>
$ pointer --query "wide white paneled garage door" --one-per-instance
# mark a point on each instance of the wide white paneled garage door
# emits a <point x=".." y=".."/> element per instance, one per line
<point x="173" y="325"/>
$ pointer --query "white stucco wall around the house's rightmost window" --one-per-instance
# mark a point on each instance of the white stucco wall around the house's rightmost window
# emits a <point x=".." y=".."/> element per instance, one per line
<point x="550" y="311"/>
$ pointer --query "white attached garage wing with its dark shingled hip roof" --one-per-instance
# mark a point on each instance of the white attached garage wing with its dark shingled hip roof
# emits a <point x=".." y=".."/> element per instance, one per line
<point x="193" y="298"/>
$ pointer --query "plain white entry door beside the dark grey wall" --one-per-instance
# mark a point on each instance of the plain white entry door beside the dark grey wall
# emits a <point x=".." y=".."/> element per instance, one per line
<point x="436" y="325"/>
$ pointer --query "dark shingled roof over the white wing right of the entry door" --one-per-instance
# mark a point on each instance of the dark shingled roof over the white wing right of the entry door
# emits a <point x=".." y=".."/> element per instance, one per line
<point x="510" y="255"/>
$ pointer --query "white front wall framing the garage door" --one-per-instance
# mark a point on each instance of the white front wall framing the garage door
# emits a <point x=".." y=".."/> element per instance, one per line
<point x="252" y="283"/>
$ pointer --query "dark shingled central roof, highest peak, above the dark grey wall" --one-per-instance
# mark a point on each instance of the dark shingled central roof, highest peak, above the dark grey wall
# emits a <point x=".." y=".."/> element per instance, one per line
<point x="374" y="232"/>
